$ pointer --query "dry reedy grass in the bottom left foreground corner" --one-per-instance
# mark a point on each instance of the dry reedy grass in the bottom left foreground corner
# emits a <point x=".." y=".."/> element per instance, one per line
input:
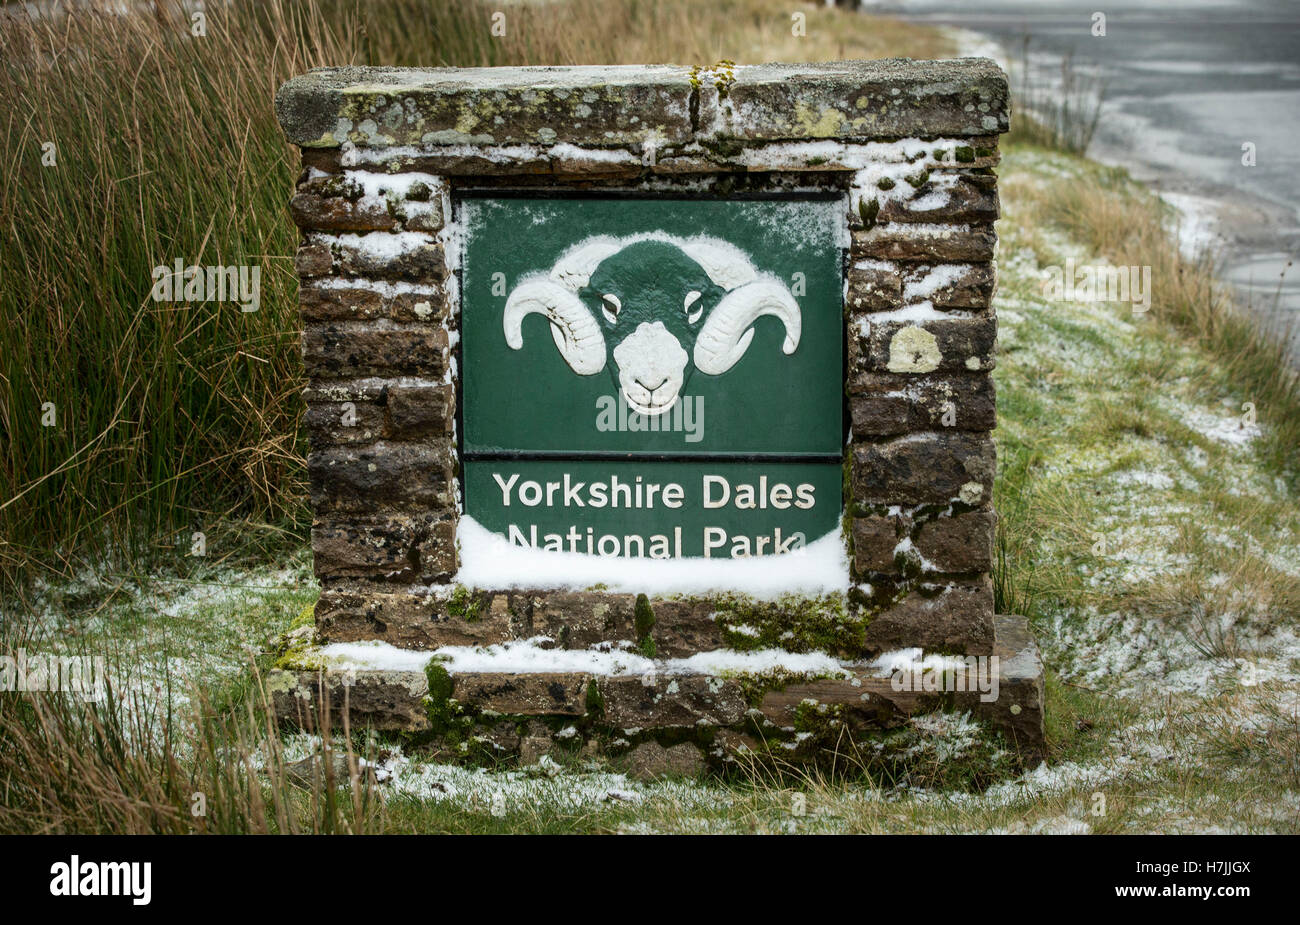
<point x="123" y="767"/>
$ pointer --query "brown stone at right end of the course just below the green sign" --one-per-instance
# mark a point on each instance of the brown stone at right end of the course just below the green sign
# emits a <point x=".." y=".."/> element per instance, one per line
<point x="955" y="618"/>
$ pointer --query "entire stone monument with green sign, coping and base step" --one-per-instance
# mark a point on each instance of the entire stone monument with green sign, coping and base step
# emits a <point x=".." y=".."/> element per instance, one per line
<point x="651" y="407"/>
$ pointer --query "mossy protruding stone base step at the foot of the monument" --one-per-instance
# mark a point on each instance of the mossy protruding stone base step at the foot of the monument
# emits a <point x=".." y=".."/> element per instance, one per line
<point x="522" y="716"/>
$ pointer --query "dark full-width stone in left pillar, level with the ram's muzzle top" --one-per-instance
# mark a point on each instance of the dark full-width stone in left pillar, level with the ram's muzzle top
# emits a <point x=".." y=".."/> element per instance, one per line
<point x="363" y="349"/>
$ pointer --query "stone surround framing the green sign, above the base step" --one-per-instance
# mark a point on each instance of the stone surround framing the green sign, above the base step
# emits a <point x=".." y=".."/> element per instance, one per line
<point x="909" y="146"/>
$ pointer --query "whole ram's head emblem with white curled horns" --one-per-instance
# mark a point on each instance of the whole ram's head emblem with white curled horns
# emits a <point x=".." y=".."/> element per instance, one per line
<point x="669" y="305"/>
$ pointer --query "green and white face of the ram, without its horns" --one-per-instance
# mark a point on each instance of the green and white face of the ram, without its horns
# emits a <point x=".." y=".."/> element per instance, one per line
<point x="652" y="301"/>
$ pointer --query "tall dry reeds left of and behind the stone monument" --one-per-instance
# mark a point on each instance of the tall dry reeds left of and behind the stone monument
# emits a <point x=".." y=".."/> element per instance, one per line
<point x="177" y="415"/>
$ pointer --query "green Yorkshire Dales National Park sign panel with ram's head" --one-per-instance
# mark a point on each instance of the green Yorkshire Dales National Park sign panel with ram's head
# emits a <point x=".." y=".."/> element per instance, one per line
<point x="653" y="377"/>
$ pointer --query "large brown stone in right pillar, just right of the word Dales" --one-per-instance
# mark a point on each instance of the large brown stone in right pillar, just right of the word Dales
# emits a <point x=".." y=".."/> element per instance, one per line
<point x="925" y="470"/>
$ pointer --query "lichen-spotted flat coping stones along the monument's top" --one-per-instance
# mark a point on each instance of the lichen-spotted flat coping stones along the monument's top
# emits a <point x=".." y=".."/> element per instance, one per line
<point x="622" y="106"/>
